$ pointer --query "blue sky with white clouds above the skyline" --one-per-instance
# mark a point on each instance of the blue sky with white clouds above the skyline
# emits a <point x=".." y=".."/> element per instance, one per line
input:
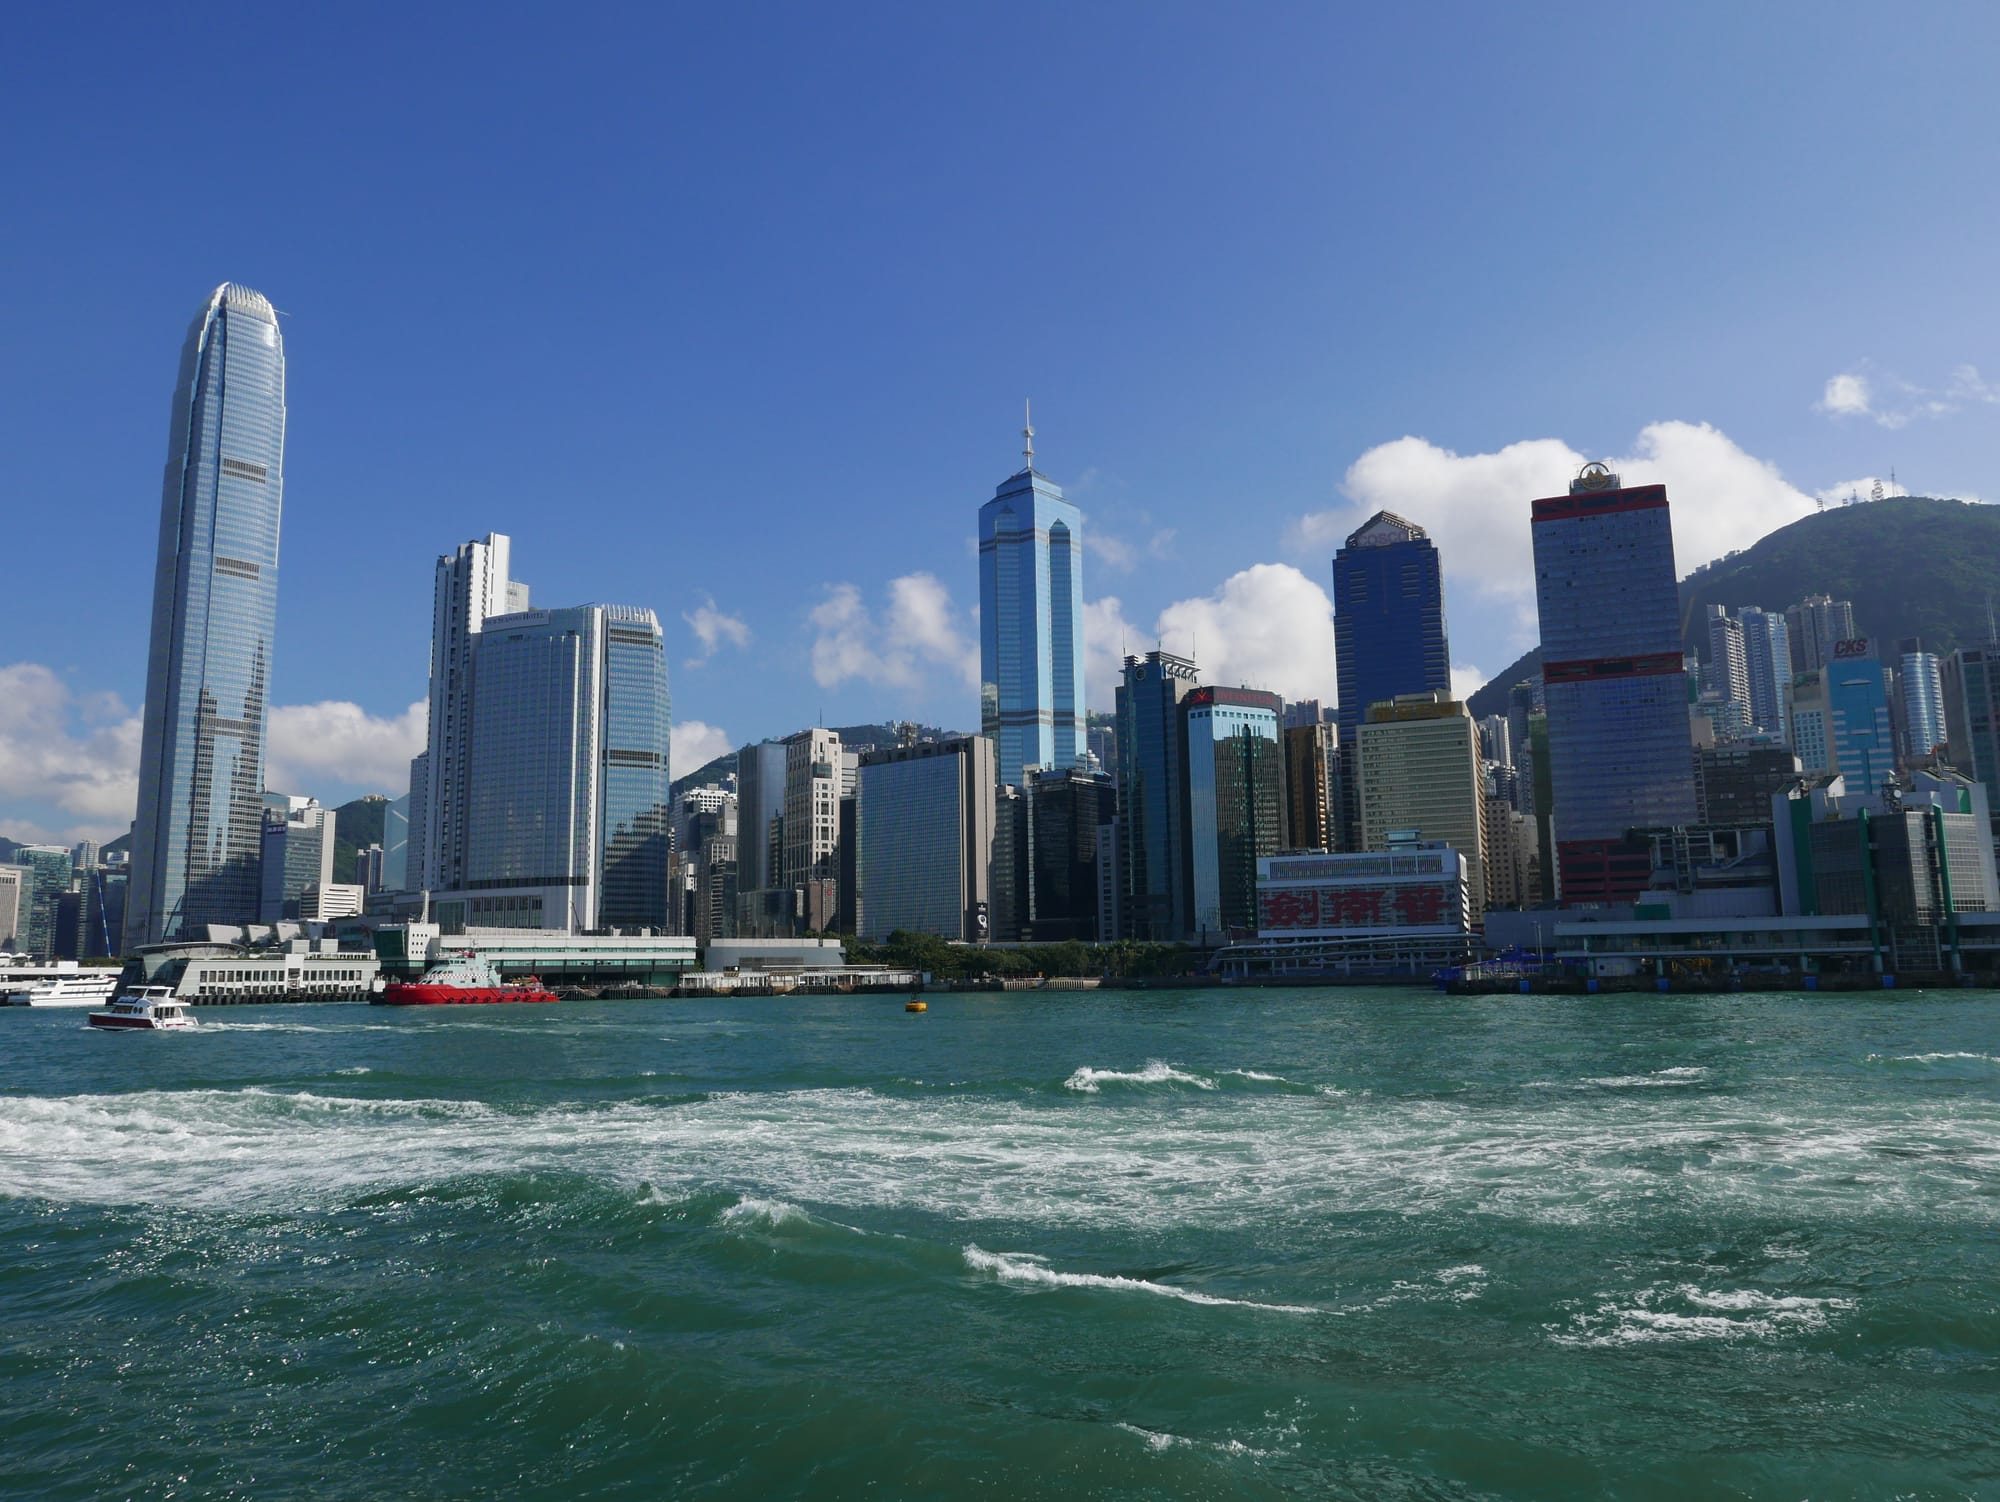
<point x="731" y="313"/>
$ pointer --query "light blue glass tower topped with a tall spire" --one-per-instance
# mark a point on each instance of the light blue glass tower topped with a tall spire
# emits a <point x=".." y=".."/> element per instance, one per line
<point x="1031" y="623"/>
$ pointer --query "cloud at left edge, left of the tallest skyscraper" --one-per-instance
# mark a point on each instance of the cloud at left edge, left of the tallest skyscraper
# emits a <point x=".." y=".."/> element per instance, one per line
<point x="67" y="755"/>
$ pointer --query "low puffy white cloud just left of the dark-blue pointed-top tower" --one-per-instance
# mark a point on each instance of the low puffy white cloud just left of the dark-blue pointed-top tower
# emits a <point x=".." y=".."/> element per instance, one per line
<point x="1269" y="627"/>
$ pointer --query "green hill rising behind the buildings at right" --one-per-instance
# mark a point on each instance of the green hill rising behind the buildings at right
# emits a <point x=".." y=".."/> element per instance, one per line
<point x="1913" y="567"/>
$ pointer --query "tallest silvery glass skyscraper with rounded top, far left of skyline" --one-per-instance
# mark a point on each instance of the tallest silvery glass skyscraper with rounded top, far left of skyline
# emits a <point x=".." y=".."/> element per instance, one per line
<point x="215" y="605"/>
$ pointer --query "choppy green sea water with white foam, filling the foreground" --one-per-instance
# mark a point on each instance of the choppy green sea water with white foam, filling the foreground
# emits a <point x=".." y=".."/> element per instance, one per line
<point x="1359" y="1245"/>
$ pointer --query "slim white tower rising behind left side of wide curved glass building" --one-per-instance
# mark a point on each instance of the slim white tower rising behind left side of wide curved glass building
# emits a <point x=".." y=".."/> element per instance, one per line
<point x="471" y="585"/>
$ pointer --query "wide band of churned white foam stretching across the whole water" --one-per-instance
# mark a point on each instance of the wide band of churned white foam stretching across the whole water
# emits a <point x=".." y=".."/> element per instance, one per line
<point x="1251" y="1157"/>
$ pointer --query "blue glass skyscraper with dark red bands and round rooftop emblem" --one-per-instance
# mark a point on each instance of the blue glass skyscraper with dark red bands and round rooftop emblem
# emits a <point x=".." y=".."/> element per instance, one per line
<point x="1615" y="681"/>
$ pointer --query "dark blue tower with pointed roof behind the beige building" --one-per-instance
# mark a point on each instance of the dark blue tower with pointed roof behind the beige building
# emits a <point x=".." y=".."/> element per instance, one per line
<point x="1389" y="629"/>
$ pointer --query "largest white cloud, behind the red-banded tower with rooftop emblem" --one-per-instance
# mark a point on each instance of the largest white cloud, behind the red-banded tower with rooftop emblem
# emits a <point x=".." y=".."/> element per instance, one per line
<point x="1477" y="505"/>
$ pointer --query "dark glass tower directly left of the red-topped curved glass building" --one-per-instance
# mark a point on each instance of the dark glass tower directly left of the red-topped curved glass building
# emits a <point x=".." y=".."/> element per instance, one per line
<point x="1151" y="797"/>
